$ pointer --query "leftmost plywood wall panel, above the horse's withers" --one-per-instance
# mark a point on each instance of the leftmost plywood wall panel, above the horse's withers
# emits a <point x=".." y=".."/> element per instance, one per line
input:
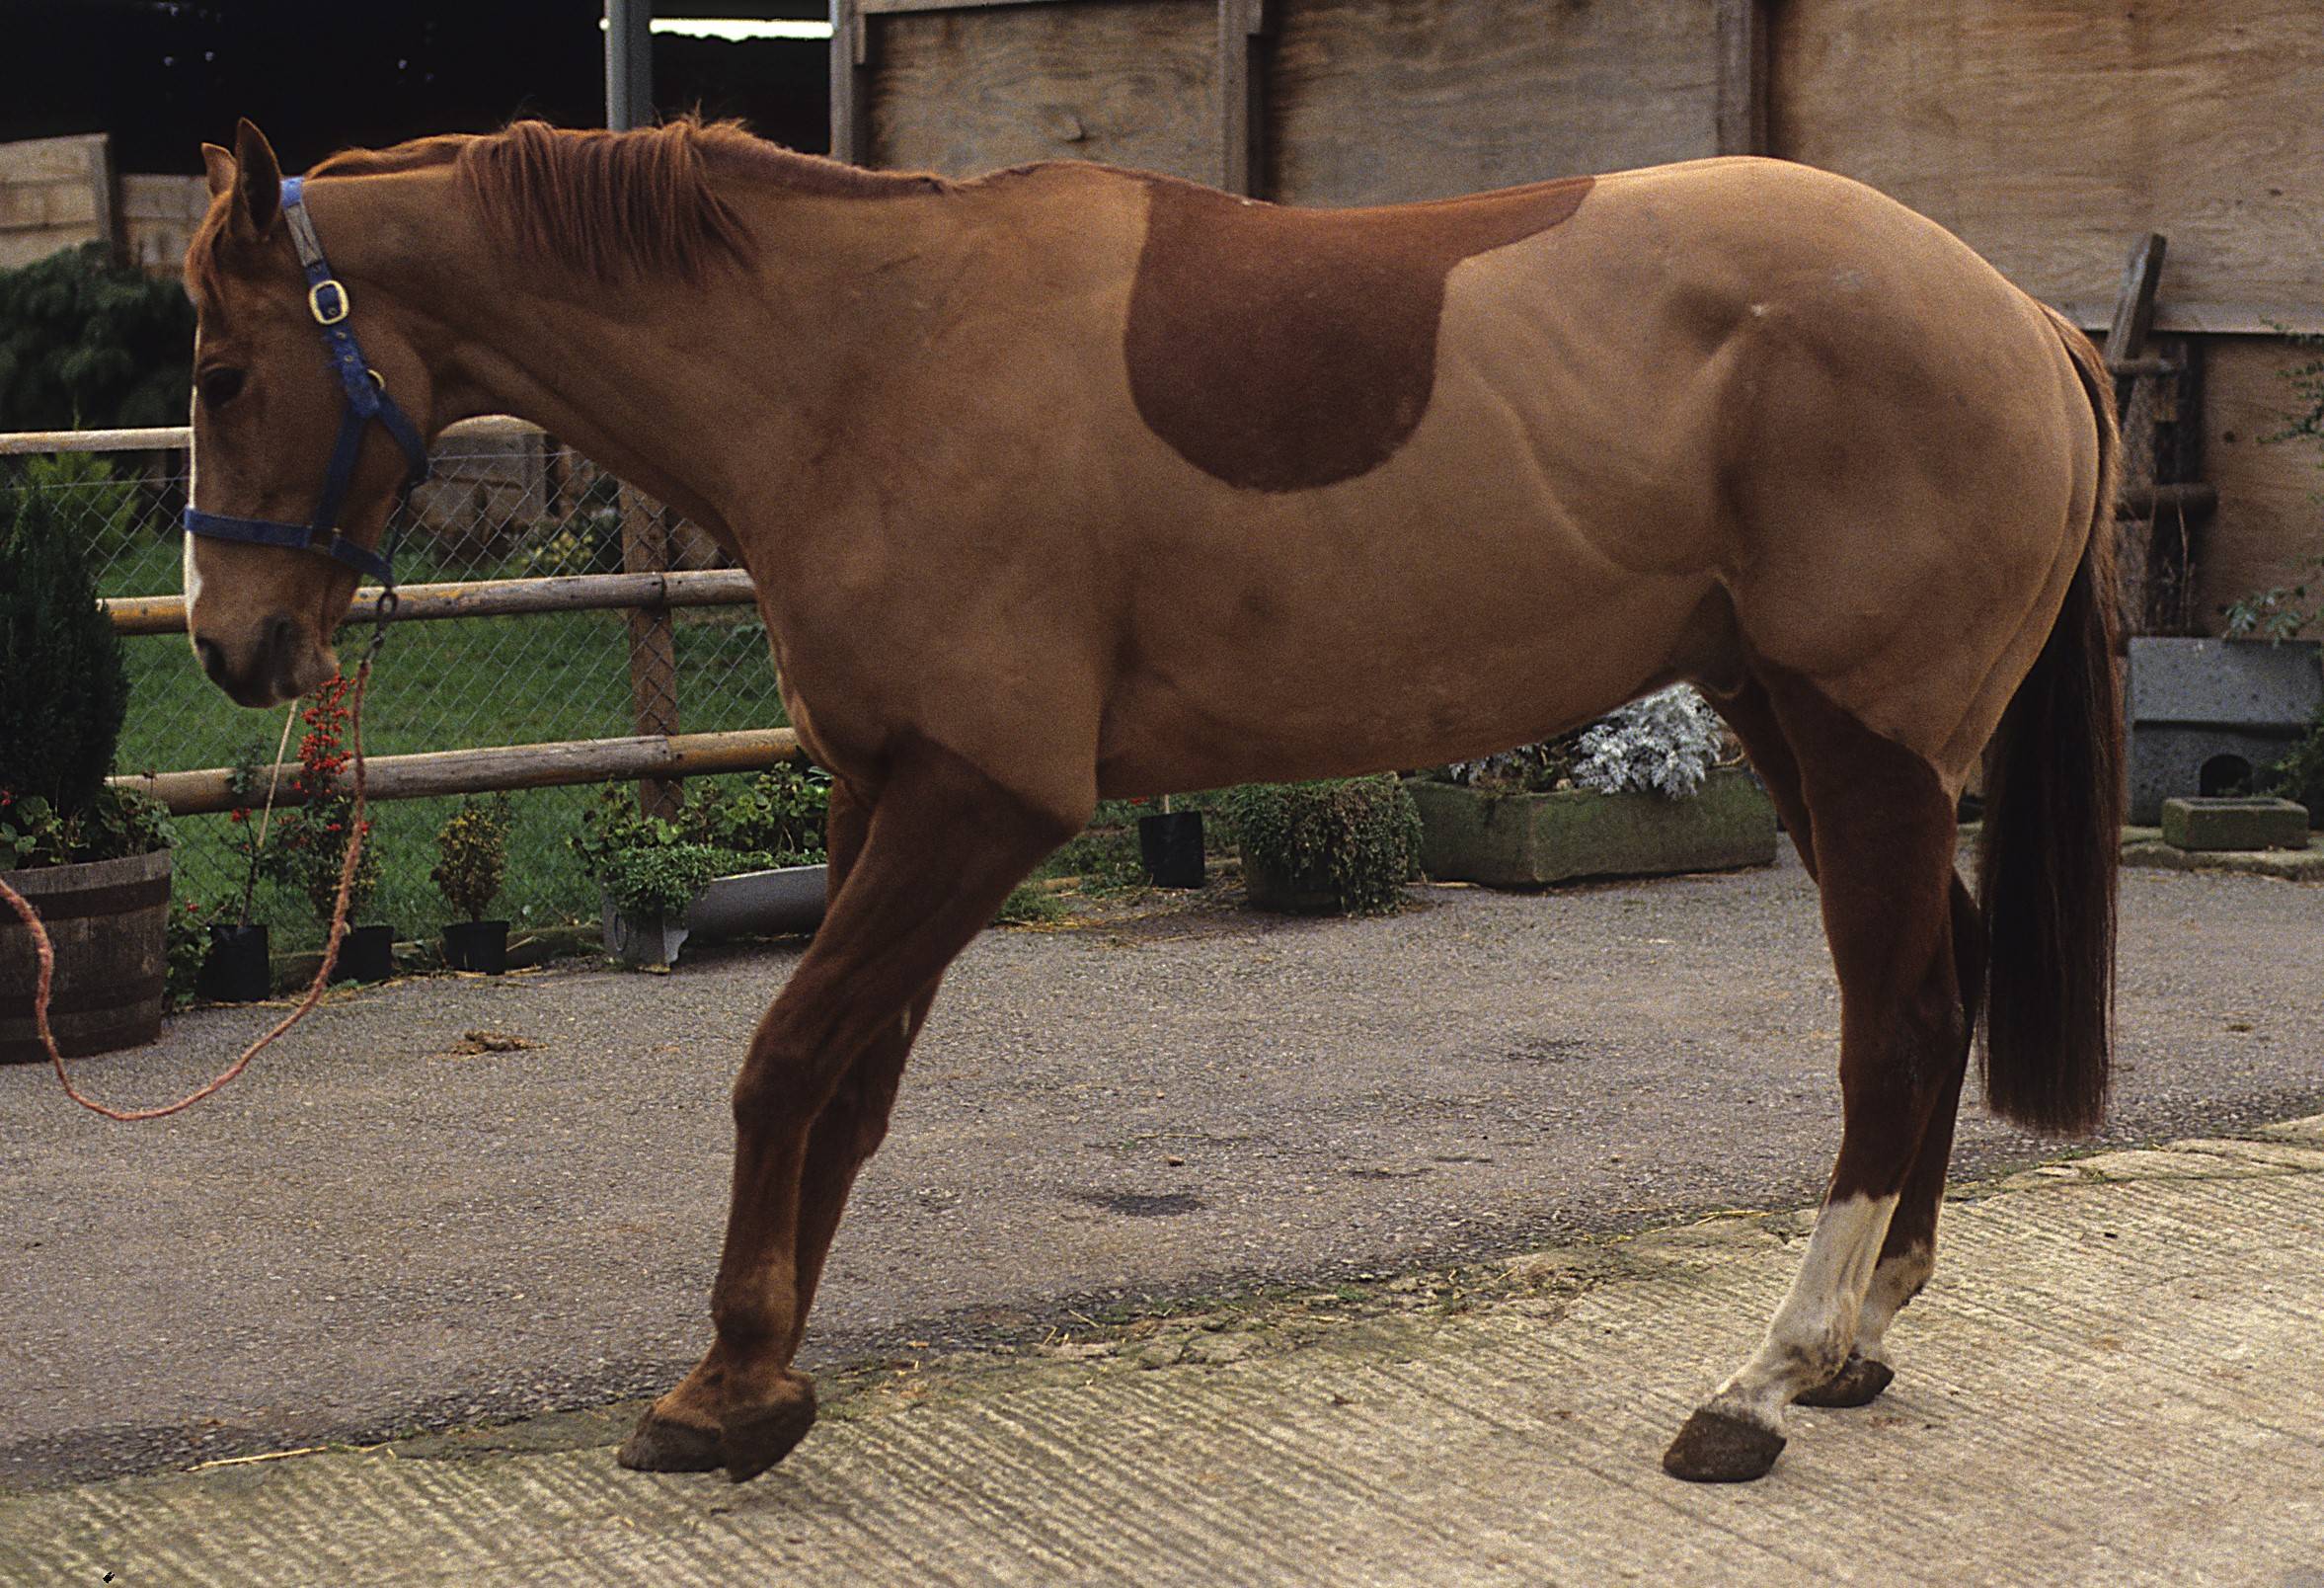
<point x="1131" y="83"/>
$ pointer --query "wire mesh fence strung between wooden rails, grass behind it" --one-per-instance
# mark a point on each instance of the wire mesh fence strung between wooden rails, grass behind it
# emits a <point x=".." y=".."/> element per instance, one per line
<point x="494" y="510"/>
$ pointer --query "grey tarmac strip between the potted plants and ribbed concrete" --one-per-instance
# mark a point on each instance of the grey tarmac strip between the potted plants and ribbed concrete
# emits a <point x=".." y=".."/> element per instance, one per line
<point x="382" y="1231"/>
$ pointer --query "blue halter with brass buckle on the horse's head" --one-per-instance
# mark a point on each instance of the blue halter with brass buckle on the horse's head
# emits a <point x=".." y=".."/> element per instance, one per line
<point x="366" y="401"/>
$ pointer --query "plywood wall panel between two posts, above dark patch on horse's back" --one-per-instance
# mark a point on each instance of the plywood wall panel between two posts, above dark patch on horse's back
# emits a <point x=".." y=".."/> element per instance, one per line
<point x="1382" y="101"/>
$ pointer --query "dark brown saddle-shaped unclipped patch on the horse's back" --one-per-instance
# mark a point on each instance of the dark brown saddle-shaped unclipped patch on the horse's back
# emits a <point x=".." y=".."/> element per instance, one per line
<point x="1286" y="350"/>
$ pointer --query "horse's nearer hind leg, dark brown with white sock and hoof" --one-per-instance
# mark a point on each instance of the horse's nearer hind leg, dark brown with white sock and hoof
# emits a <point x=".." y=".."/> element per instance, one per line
<point x="1884" y="841"/>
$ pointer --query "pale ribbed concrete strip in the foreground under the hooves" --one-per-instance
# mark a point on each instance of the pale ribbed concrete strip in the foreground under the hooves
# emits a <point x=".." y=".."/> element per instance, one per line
<point x="2111" y="1382"/>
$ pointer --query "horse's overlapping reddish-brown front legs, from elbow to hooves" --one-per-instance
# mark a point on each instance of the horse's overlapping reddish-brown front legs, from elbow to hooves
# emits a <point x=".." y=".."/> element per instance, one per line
<point x="940" y="854"/>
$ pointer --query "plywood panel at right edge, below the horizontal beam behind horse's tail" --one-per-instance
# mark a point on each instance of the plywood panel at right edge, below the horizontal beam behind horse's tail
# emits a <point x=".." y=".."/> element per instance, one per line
<point x="2269" y="492"/>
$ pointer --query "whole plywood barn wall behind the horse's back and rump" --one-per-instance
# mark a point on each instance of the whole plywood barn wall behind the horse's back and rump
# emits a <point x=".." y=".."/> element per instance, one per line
<point x="2044" y="131"/>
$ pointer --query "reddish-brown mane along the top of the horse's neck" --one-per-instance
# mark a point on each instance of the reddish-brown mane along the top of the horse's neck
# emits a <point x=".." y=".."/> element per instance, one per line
<point x="619" y="206"/>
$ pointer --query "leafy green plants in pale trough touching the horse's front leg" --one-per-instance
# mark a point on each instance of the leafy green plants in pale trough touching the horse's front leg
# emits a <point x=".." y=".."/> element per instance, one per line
<point x="736" y="861"/>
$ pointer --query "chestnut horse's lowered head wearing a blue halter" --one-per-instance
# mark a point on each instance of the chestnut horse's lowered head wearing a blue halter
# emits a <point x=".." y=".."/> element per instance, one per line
<point x="289" y="441"/>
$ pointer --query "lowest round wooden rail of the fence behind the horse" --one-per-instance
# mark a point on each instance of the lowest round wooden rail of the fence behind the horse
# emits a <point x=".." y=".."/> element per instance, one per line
<point x="485" y="771"/>
